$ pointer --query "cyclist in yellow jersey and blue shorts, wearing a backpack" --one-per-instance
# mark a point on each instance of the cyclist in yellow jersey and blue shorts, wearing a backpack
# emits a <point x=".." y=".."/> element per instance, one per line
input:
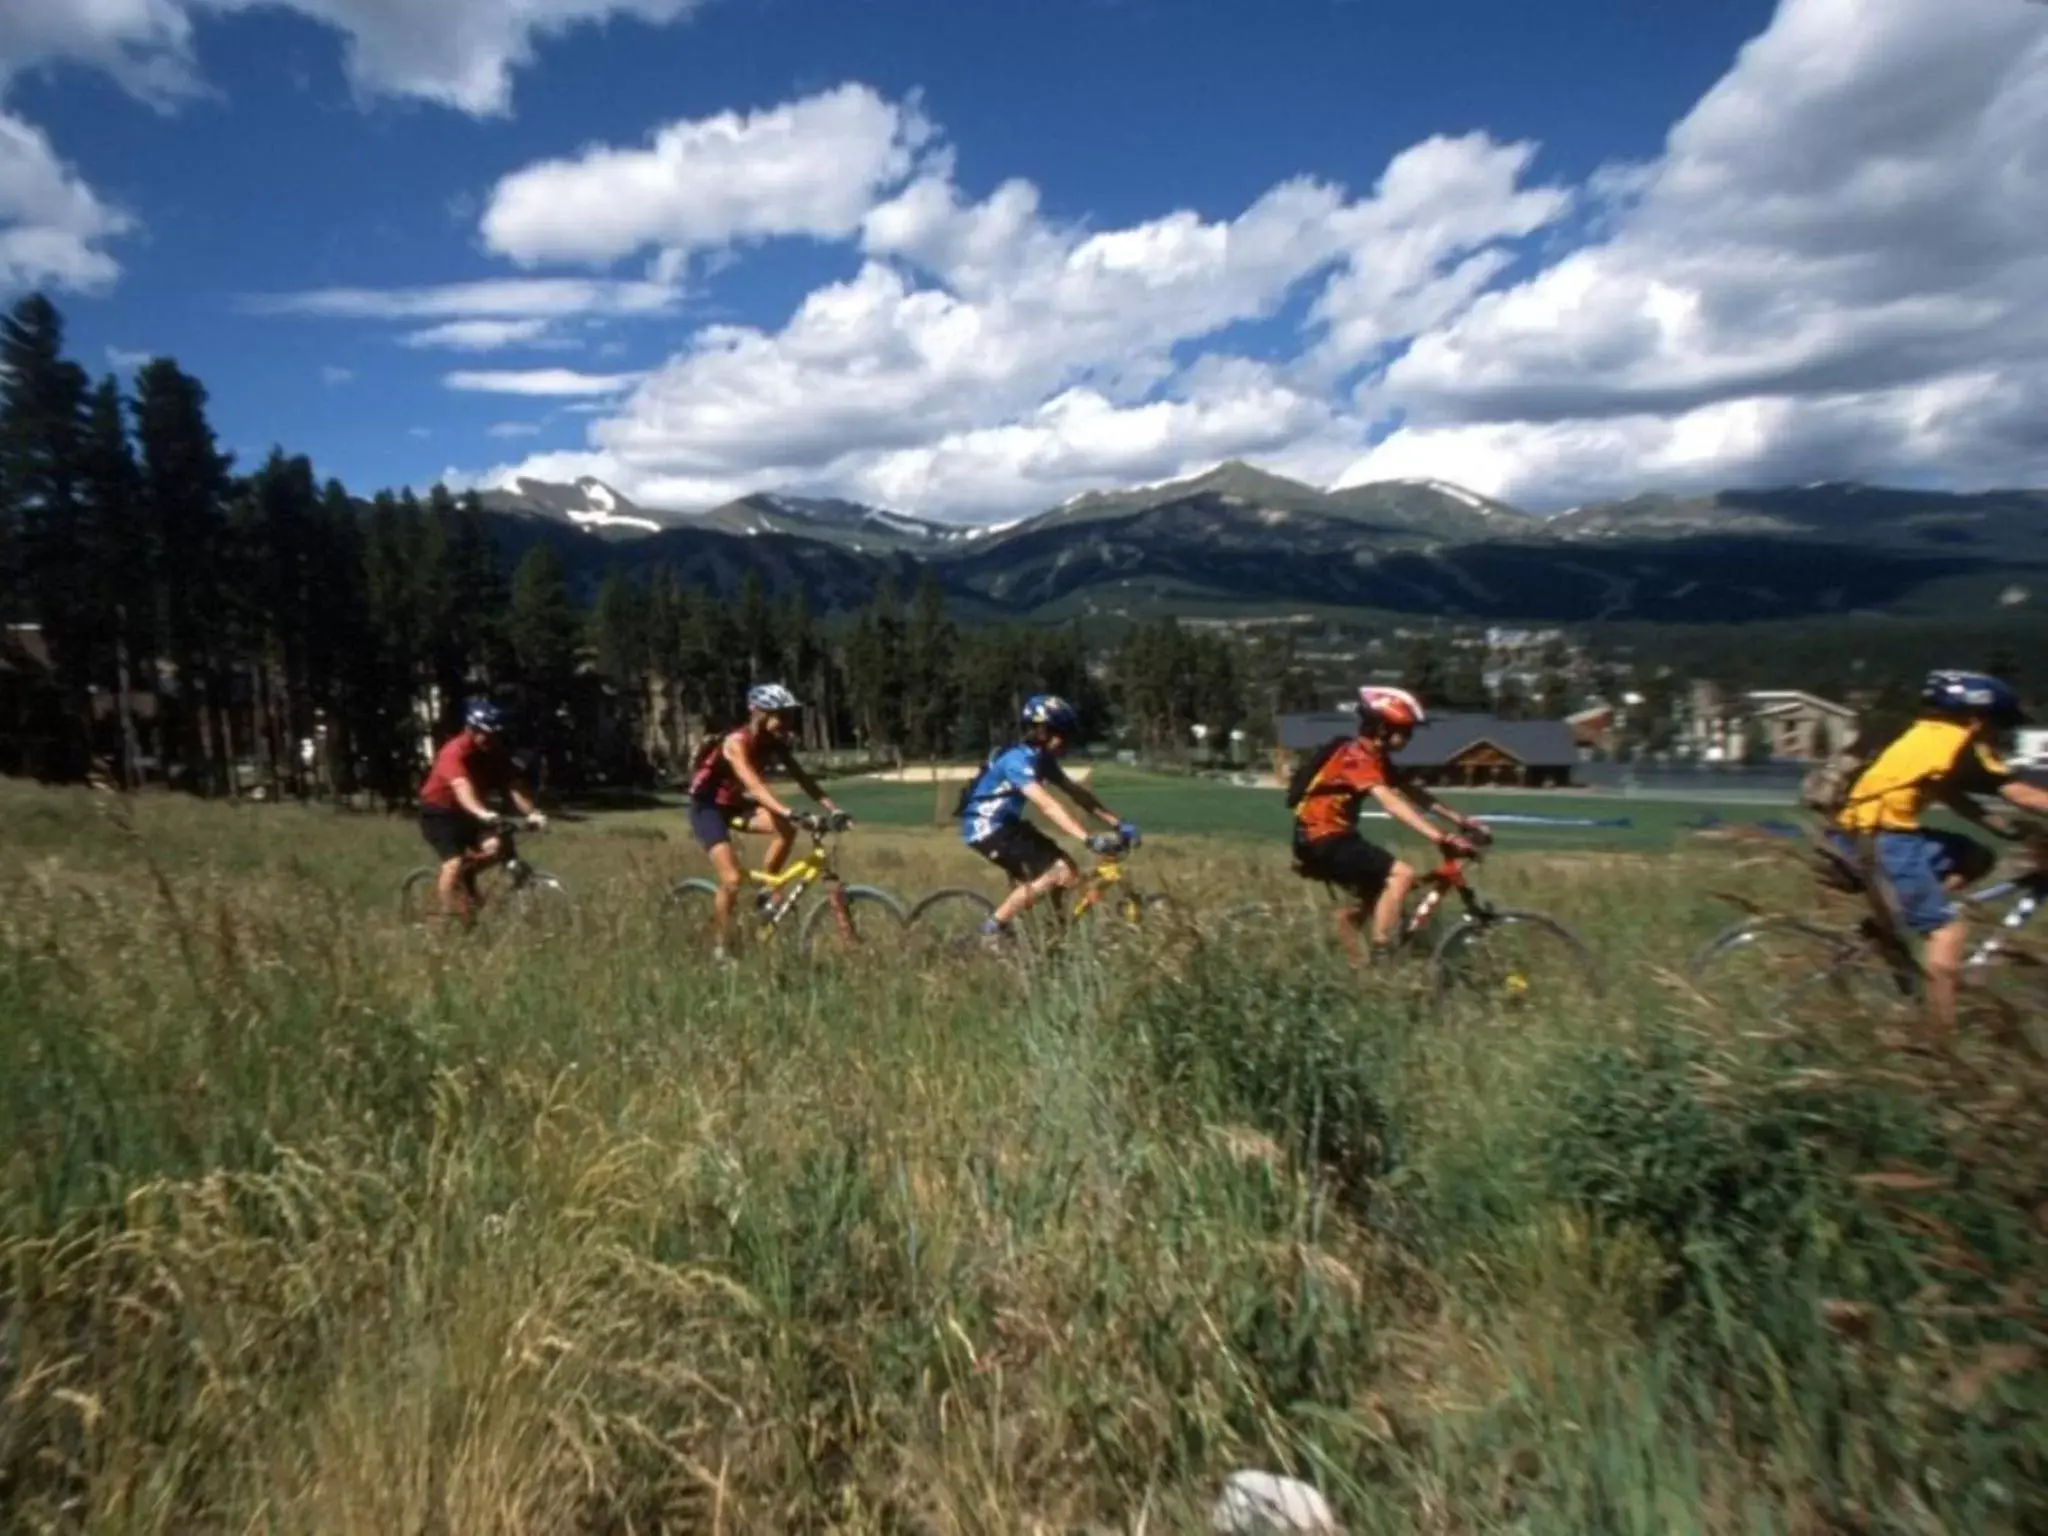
<point x="1947" y="757"/>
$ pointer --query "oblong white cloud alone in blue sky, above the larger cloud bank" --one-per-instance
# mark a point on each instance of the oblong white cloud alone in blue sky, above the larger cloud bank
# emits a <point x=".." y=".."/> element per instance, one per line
<point x="812" y="167"/>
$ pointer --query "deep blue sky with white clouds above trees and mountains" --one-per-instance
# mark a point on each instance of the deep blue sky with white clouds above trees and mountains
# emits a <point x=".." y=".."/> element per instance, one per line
<point x="974" y="259"/>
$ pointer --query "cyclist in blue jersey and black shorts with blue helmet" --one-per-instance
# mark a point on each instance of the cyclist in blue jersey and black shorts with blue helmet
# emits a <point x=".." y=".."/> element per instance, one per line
<point x="1027" y="773"/>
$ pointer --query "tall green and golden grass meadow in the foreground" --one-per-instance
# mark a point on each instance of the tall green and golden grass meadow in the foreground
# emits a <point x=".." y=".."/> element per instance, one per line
<point x="318" y="1224"/>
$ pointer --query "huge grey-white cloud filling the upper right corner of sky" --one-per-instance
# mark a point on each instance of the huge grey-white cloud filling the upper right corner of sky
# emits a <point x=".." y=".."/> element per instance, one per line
<point x="1834" y="271"/>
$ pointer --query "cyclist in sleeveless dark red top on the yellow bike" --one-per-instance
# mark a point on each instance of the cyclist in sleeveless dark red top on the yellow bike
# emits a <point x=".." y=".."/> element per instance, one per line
<point x="730" y="794"/>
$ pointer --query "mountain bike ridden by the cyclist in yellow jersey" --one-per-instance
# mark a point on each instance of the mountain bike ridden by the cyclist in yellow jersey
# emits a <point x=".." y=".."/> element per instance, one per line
<point x="1783" y="962"/>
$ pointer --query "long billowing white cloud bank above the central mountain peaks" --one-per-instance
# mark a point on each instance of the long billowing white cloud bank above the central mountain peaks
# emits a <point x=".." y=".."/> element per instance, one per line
<point x="986" y="357"/>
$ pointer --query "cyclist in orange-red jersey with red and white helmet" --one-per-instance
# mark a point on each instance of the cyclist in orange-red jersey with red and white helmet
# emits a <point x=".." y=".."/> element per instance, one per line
<point x="1326" y="822"/>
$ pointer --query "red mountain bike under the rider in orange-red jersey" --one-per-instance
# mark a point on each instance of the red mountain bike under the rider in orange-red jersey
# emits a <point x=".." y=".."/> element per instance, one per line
<point x="1490" y="955"/>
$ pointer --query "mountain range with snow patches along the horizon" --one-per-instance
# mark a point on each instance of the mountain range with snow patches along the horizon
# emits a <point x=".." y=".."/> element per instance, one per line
<point x="1240" y="540"/>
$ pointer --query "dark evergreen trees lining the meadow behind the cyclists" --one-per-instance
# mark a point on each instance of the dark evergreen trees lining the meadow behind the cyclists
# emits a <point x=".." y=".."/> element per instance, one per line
<point x="224" y="630"/>
